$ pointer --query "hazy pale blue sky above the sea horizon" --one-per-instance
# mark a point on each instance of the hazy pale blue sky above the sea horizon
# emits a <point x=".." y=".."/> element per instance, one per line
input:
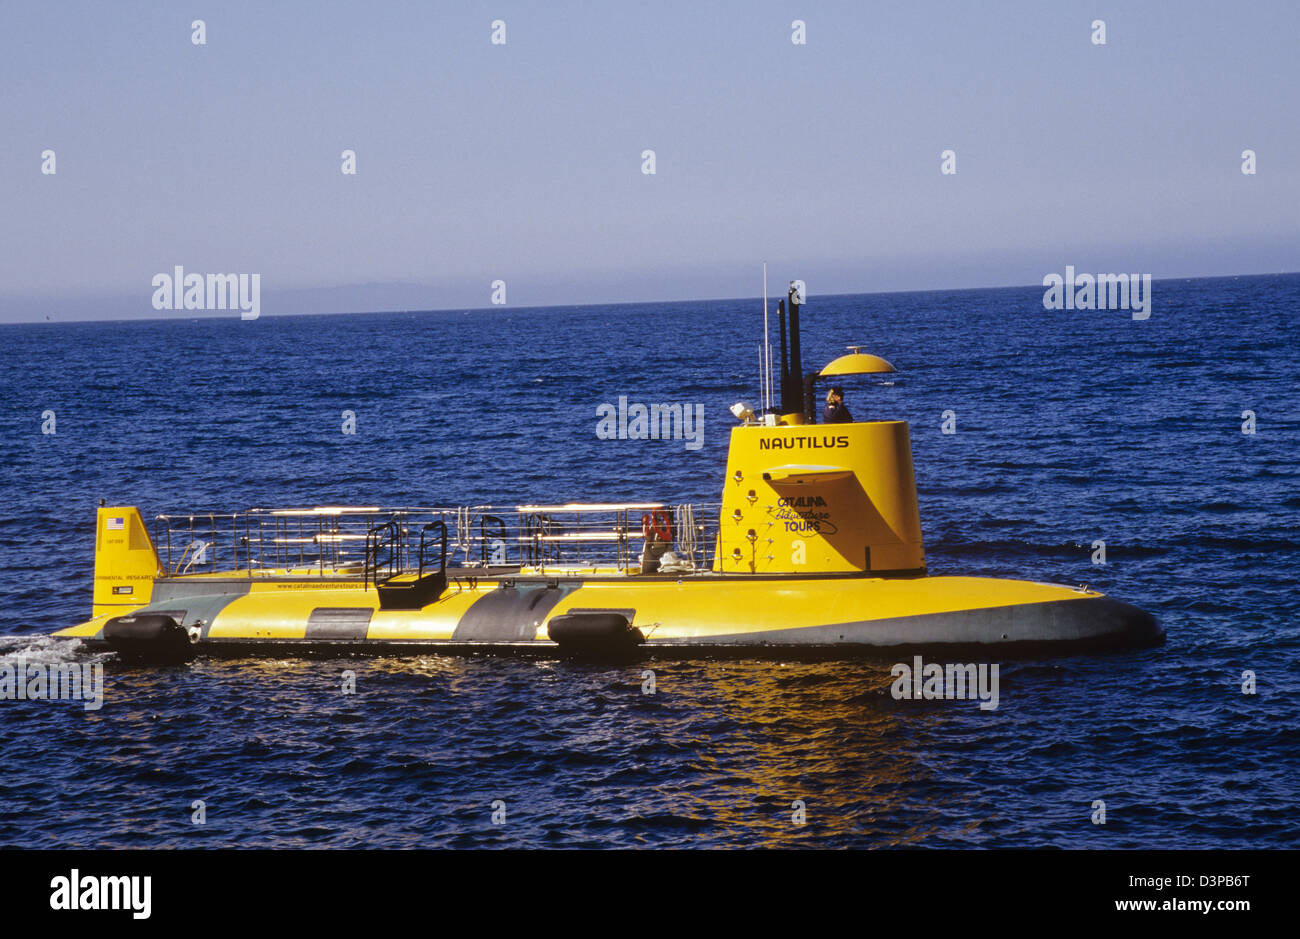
<point x="523" y="162"/>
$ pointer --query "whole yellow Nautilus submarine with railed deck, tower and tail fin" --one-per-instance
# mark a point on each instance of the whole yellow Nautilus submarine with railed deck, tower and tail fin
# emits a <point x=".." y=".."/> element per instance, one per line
<point x="814" y="549"/>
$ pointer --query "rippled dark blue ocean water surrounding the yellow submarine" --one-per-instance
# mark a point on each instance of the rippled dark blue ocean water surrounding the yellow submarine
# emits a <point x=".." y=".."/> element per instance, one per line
<point x="1072" y="427"/>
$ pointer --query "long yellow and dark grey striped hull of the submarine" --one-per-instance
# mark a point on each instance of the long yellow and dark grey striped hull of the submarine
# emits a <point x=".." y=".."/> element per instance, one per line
<point x="668" y="616"/>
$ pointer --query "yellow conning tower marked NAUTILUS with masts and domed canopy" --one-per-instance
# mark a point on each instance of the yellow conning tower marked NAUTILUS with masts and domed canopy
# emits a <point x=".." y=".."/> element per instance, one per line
<point x="803" y="497"/>
